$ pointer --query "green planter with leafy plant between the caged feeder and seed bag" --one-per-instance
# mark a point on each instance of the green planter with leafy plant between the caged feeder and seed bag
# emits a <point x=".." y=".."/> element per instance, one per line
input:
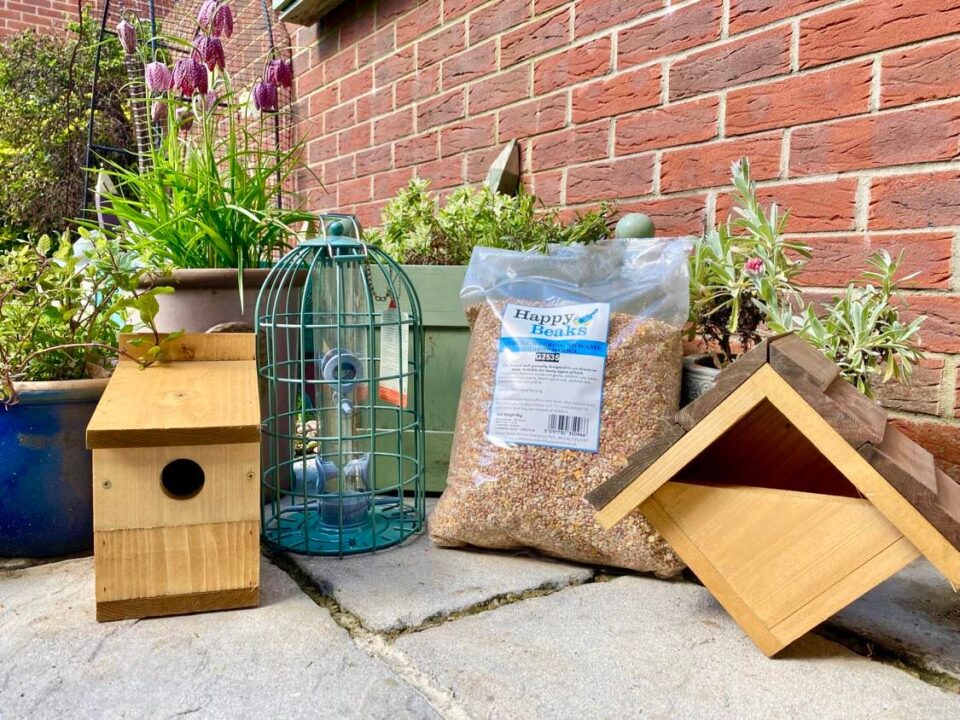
<point x="433" y="240"/>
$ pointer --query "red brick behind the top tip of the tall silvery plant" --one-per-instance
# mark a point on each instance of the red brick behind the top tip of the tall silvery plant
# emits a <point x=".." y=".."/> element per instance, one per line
<point x="708" y="165"/>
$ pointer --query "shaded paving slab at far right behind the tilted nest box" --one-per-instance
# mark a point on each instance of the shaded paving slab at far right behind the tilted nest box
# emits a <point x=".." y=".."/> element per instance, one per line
<point x="915" y="614"/>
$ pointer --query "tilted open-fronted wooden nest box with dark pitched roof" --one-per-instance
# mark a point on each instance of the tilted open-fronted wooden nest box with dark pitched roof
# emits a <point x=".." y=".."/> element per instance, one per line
<point x="788" y="493"/>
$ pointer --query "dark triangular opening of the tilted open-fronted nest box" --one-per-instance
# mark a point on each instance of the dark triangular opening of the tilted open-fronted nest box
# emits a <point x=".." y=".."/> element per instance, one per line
<point x="764" y="449"/>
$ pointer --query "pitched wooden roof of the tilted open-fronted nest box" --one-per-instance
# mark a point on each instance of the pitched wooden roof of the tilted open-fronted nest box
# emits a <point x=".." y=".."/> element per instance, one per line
<point x="895" y="474"/>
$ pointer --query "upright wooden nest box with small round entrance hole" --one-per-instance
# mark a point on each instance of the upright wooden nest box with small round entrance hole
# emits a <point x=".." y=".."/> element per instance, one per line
<point x="176" y="473"/>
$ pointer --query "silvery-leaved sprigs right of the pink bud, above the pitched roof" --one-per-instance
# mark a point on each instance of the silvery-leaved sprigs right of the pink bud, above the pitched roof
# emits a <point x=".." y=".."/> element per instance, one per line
<point x="861" y="330"/>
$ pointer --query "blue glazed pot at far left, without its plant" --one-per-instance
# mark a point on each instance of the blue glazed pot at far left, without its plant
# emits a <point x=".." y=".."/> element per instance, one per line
<point x="46" y="493"/>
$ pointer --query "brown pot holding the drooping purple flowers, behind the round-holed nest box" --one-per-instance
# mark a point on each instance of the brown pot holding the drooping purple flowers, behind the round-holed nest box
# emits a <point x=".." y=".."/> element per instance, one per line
<point x="205" y="298"/>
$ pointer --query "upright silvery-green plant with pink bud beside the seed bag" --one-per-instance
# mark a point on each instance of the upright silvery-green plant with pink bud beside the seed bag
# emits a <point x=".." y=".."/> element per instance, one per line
<point x="742" y="272"/>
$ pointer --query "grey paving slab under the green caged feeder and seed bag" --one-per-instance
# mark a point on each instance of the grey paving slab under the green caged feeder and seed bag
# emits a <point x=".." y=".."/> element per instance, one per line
<point x="408" y="585"/>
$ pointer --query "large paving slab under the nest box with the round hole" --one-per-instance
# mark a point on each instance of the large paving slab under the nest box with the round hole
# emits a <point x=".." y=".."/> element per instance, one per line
<point x="285" y="659"/>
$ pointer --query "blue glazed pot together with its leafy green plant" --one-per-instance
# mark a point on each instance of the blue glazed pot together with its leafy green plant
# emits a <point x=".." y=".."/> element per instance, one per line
<point x="61" y="312"/>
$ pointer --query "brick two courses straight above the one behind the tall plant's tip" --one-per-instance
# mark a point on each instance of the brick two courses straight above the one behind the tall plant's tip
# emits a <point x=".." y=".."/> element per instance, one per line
<point x="731" y="63"/>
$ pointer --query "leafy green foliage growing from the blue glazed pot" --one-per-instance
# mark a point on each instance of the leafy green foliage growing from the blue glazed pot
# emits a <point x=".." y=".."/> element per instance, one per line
<point x="63" y="307"/>
